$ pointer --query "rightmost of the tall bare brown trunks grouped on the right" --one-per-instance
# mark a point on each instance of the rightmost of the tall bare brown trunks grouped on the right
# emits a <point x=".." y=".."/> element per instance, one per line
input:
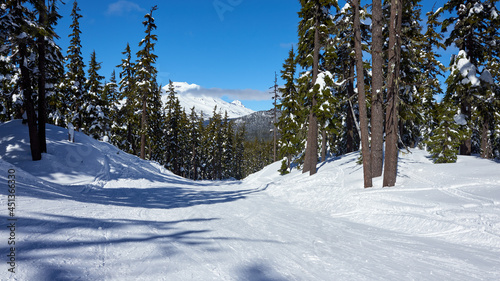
<point x="391" y="142"/>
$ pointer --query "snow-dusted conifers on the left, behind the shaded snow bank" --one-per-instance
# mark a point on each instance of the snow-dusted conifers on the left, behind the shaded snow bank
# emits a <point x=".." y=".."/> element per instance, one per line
<point x="42" y="86"/>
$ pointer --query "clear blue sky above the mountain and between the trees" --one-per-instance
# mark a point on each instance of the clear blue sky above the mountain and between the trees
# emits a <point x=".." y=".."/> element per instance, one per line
<point x="232" y="47"/>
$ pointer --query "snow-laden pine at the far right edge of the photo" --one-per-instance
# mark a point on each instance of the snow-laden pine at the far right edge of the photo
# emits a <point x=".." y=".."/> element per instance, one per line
<point x="474" y="27"/>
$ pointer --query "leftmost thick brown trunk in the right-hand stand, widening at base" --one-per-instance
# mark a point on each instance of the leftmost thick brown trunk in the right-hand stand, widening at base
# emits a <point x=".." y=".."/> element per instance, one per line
<point x="311" y="157"/>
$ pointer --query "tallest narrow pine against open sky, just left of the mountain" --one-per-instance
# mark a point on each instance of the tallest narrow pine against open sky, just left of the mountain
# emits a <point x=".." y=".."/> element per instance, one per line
<point x="146" y="74"/>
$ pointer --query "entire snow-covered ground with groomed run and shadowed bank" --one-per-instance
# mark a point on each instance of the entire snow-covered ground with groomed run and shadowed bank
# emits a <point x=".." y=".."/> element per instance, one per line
<point x="88" y="211"/>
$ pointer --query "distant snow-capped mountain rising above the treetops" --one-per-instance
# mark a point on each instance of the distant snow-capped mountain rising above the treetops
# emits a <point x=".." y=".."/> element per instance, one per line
<point x="190" y="95"/>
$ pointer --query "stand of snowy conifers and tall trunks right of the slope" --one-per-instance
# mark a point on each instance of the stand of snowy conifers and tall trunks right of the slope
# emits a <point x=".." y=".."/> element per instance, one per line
<point x="369" y="76"/>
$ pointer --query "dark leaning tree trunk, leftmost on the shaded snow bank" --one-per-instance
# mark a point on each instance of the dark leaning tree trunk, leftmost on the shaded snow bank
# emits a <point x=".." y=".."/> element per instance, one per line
<point x="29" y="106"/>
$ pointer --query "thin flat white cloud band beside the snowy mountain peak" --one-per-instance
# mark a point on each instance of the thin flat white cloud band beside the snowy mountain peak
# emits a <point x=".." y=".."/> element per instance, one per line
<point x="234" y="94"/>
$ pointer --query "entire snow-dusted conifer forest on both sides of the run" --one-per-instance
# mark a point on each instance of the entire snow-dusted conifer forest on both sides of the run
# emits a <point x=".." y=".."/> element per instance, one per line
<point x="365" y="76"/>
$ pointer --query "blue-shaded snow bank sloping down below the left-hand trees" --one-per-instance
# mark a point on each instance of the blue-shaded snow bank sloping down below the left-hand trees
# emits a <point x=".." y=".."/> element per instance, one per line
<point x="84" y="163"/>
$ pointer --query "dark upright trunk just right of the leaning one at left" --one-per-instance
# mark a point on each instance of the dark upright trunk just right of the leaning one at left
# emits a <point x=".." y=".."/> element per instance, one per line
<point x="41" y="78"/>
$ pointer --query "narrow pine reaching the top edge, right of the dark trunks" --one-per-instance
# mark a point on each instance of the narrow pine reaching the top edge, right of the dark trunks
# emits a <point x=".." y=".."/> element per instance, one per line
<point x="74" y="87"/>
